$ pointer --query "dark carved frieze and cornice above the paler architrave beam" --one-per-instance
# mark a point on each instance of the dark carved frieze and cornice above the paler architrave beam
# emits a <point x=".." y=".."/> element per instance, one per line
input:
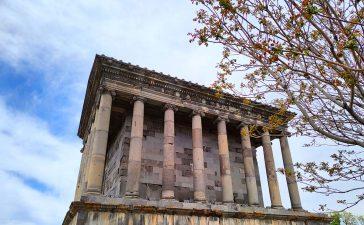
<point x="106" y="67"/>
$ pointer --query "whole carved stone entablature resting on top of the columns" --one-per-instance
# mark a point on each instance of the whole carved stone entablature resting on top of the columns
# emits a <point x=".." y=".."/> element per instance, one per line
<point x="127" y="79"/>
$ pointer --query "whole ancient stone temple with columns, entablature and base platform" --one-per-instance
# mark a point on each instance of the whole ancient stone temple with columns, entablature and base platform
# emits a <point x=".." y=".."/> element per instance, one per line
<point x="159" y="150"/>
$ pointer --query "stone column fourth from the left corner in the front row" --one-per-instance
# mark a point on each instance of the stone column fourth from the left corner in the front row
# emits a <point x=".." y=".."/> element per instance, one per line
<point x="198" y="160"/>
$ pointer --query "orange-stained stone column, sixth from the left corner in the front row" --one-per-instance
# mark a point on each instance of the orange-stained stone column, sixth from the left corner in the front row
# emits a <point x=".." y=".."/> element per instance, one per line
<point x="250" y="177"/>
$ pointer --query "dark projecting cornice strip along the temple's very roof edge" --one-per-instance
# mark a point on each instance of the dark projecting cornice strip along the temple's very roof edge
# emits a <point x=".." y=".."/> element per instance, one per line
<point x="95" y="79"/>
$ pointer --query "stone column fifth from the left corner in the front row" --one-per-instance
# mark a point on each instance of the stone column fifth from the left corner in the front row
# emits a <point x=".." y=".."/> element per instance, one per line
<point x="225" y="172"/>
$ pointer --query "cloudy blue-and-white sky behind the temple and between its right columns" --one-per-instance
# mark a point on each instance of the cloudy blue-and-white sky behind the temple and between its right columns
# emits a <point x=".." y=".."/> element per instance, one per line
<point x="46" y="52"/>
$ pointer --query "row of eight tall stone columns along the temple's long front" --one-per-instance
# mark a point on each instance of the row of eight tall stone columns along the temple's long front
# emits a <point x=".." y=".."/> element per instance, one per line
<point x="99" y="144"/>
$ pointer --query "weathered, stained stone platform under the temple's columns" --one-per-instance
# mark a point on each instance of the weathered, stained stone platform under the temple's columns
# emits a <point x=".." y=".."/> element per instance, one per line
<point x="97" y="210"/>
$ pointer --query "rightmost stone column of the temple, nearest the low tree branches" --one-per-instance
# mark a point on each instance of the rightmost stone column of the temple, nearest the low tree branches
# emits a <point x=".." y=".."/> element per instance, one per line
<point x="290" y="174"/>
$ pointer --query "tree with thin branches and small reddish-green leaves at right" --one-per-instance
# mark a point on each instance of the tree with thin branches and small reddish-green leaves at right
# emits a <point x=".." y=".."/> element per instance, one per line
<point x="302" y="55"/>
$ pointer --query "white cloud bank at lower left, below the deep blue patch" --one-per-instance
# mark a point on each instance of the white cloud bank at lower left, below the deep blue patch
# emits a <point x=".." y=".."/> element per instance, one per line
<point x="30" y="150"/>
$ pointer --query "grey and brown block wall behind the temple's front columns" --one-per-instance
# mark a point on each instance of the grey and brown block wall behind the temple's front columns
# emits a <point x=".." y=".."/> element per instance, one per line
<point x="152" y="161"/>
